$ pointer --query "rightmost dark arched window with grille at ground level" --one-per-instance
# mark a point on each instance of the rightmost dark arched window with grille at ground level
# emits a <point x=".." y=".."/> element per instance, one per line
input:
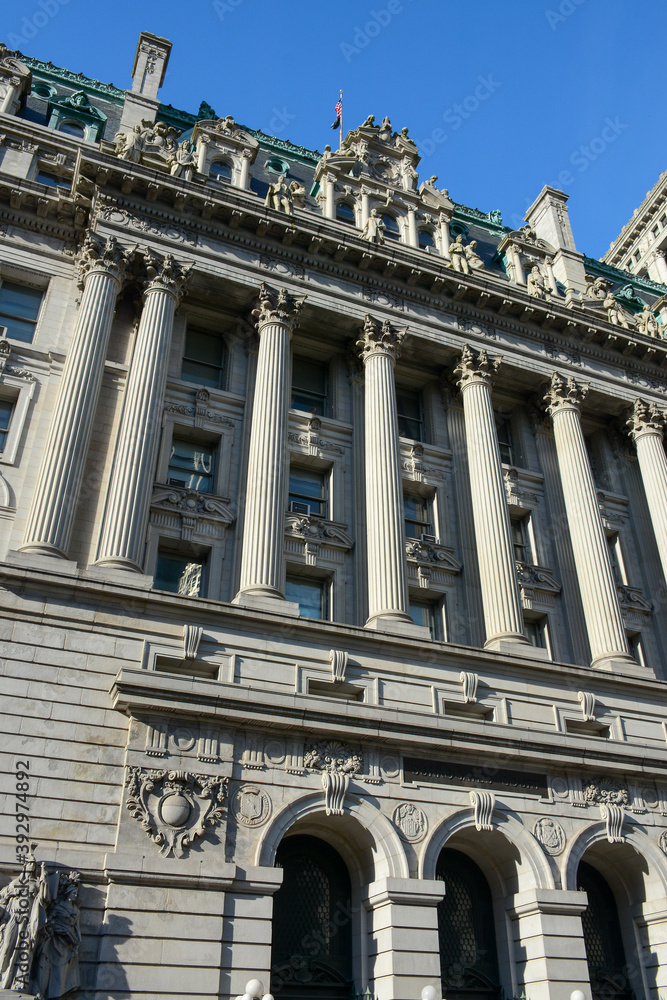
<point x="602" y="936"/>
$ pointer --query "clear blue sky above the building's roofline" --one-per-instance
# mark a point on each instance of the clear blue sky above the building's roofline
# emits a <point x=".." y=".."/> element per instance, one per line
<point x="502" y="96"/>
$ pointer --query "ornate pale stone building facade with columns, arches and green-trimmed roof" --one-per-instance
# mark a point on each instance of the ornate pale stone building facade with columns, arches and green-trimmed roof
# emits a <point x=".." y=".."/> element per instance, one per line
<point x="333" y="562"/>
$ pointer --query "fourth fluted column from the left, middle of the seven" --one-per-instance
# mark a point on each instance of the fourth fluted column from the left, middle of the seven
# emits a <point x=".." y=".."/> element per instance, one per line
<point x="379" y="347"/>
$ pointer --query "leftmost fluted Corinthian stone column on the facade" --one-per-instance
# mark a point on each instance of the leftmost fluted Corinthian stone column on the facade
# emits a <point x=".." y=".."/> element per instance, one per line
<point x="102" y="268"/>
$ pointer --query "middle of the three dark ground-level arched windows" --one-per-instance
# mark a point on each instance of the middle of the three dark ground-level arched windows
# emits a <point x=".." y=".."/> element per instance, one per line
<point x="468" y="956"/>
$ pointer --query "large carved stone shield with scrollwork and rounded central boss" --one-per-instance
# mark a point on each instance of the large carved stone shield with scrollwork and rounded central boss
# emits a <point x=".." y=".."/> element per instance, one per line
<point x="174" y="807"/>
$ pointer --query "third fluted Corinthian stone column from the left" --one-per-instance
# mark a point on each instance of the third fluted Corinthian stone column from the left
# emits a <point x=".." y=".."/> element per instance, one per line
<point x="262" y="570"/>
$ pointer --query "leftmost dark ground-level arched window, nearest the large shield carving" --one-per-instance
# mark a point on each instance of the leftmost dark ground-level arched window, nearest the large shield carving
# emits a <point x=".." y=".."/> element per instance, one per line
<point x="311" y="955"/>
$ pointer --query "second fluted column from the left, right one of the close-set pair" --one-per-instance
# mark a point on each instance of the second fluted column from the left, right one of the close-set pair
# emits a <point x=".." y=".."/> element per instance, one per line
<point x="123" y="533"/>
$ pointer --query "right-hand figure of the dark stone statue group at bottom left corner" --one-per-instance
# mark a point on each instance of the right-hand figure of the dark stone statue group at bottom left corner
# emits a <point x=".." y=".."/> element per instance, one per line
<point x="56" y="961"/>
